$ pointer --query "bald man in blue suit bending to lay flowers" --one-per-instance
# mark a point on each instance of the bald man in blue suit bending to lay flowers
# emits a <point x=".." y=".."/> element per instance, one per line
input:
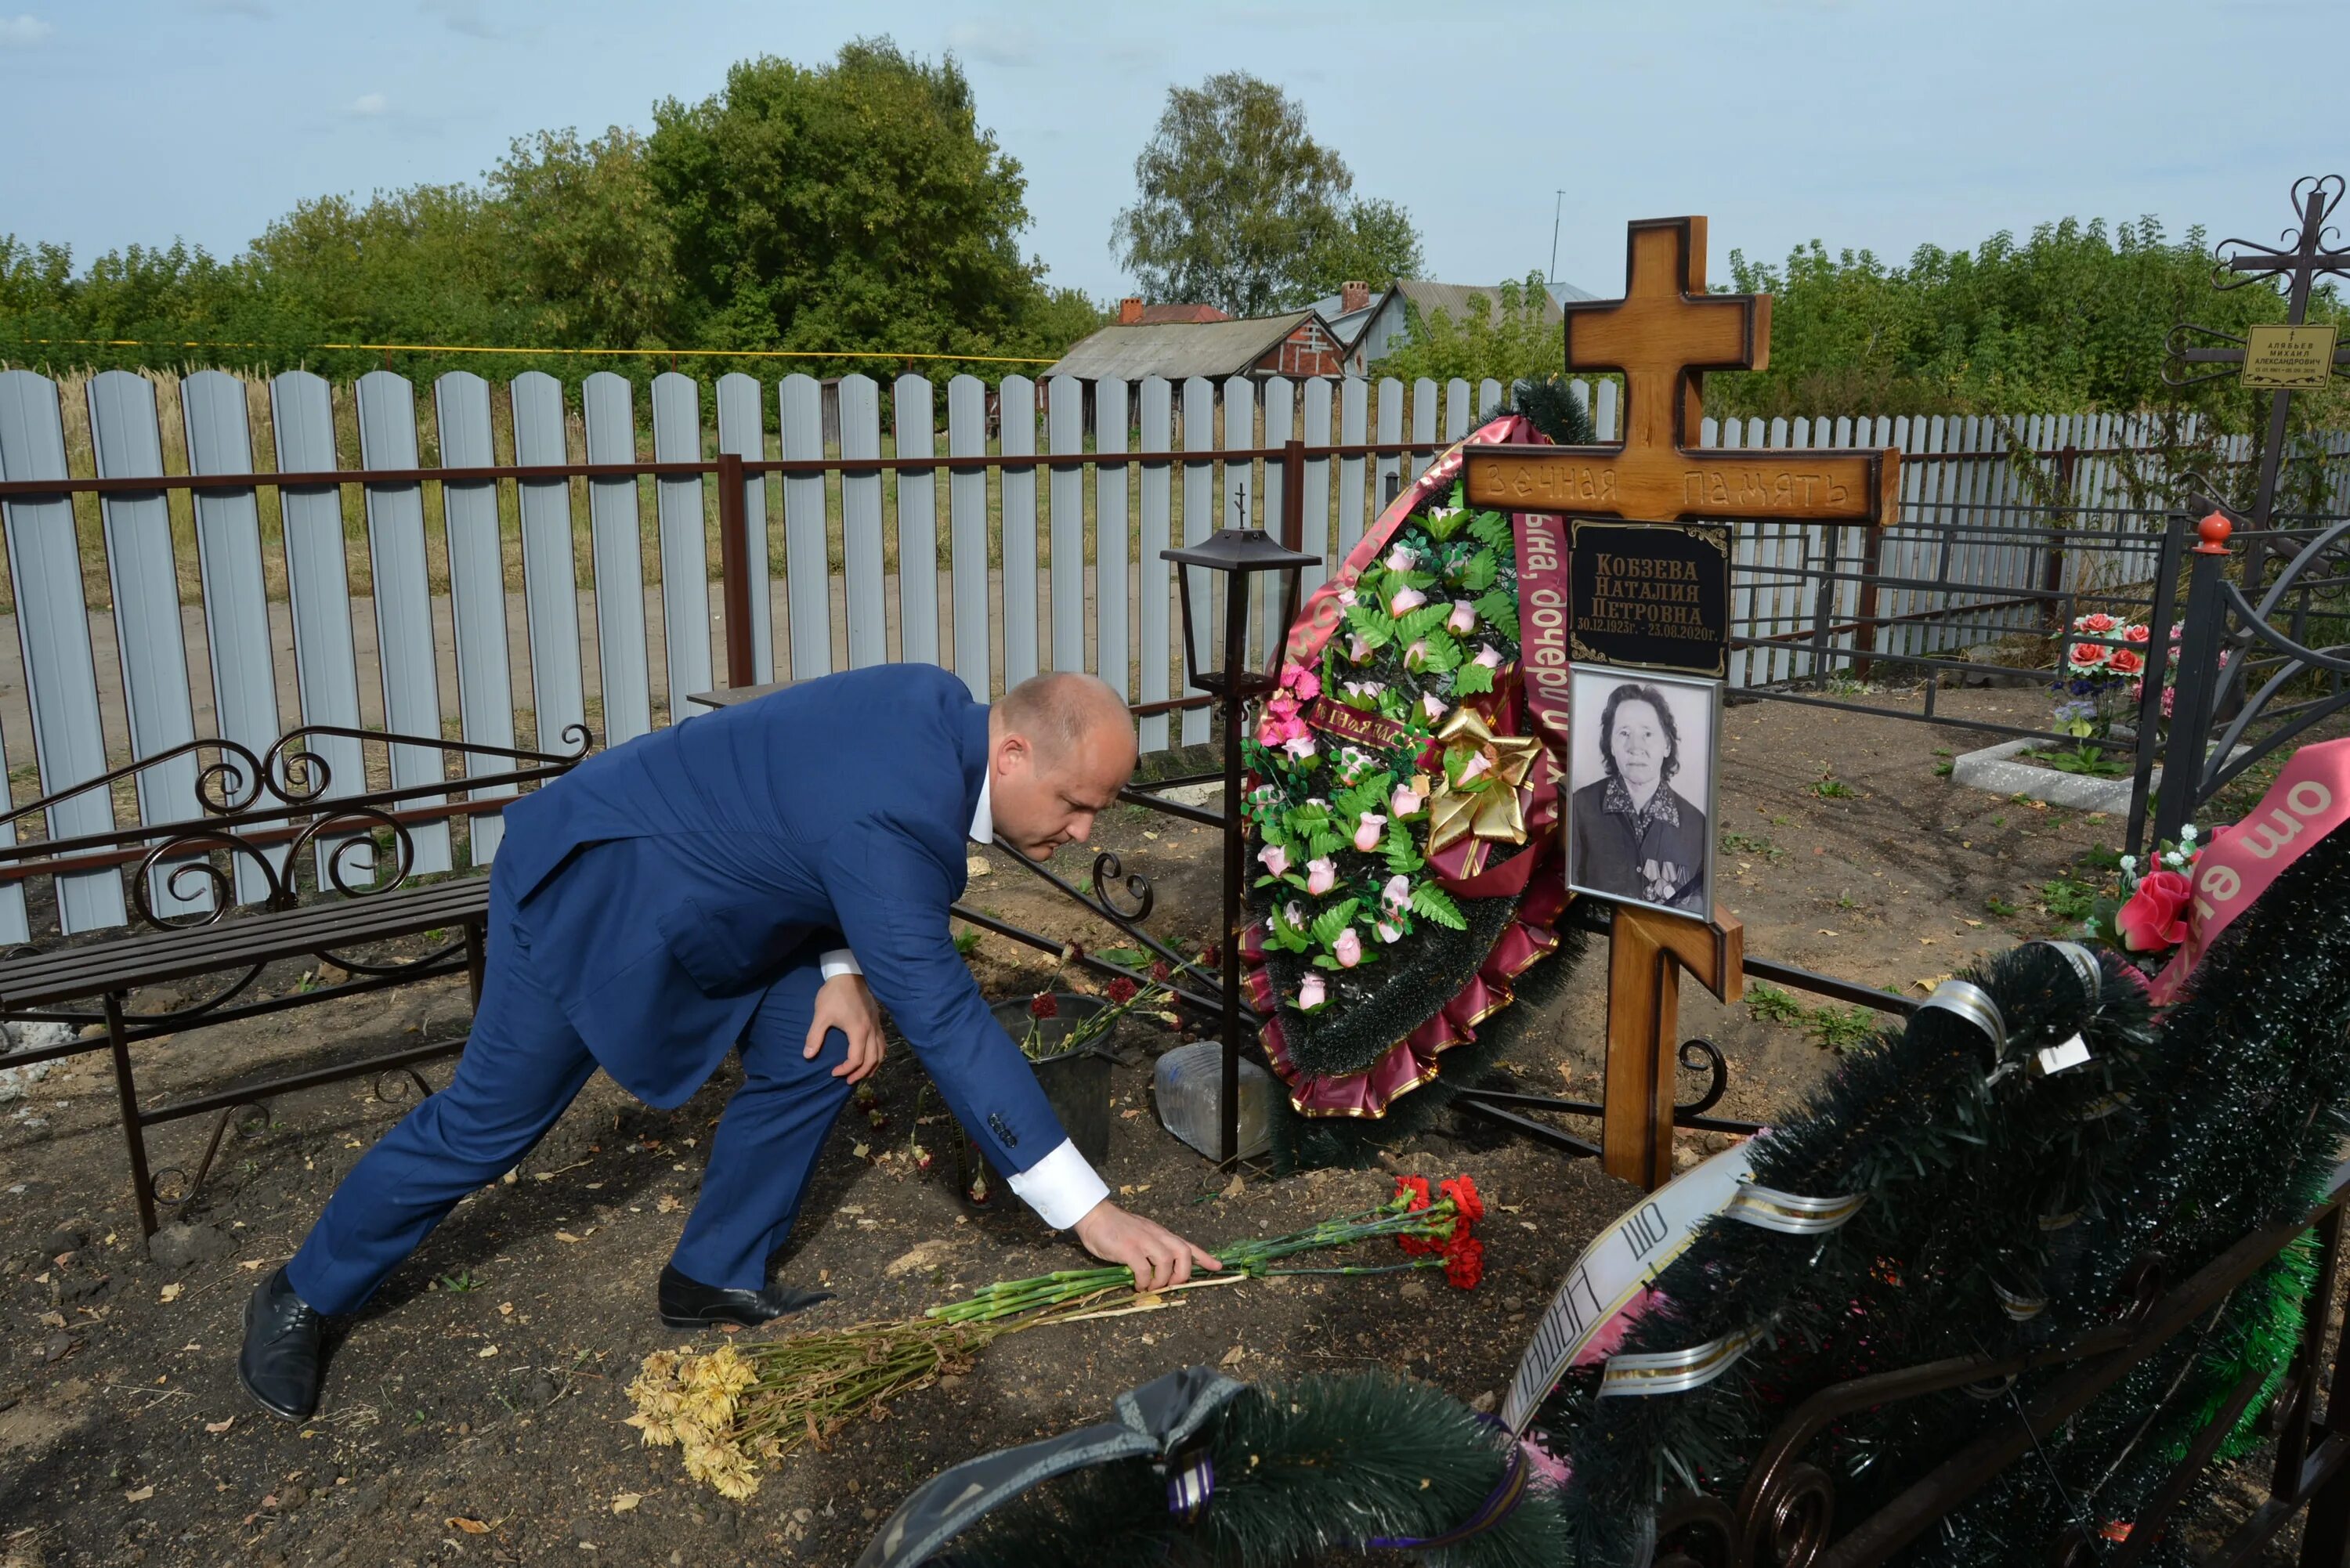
<point x="751" y="880"/>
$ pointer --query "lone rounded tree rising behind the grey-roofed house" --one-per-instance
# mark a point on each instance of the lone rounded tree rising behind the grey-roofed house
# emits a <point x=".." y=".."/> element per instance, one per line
<point x="1240" y="208"/>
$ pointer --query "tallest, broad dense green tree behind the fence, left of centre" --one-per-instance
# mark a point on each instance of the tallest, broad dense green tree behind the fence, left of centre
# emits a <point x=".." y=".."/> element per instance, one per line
<point x="850" y="206"/>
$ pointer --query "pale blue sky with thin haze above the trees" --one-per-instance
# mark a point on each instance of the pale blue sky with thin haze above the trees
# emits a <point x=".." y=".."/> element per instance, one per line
<point x="1862" y="123"/>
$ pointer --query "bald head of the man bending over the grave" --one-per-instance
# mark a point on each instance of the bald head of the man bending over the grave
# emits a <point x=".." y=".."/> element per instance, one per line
<point x="1059" y="751"/>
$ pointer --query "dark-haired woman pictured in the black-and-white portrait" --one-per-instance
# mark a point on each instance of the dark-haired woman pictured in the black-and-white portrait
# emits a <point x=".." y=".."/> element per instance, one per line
<point x="1632" y="833"/>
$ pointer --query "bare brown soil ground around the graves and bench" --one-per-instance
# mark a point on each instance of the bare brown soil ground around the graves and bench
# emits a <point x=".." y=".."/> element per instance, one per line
<point x="474" y="1412"/>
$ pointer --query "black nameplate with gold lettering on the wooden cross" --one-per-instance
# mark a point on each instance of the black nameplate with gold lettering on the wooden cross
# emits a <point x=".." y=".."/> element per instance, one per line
<point x="1651" y="596"/>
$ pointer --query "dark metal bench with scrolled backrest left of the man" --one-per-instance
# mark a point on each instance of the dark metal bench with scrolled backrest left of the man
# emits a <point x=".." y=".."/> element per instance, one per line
<point x="325" y="873"/>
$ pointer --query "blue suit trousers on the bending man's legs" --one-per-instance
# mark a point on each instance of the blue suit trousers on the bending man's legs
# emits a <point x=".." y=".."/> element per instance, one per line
<point x="521" y="1068"/>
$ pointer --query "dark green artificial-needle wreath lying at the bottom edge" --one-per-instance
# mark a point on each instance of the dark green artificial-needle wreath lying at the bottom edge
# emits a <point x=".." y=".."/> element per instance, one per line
<point x="1301" y="1470"/>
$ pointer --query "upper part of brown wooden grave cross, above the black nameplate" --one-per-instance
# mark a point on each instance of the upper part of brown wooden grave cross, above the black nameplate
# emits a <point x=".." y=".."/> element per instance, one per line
<point x="1665" y="335"/>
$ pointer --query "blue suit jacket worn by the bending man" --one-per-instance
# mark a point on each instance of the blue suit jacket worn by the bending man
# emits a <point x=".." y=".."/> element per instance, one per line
<point x="669" y="883"/>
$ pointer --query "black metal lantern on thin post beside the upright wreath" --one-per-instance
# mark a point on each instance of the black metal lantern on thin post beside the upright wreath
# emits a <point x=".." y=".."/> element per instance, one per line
<point x="1237" y="556"/>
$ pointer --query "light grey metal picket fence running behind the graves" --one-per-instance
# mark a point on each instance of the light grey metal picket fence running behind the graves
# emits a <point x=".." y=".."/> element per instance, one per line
<point x="283" y="554"/>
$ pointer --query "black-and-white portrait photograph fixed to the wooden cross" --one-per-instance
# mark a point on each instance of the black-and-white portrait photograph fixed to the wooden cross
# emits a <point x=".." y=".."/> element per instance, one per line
<point x="1641" y="789"/>
